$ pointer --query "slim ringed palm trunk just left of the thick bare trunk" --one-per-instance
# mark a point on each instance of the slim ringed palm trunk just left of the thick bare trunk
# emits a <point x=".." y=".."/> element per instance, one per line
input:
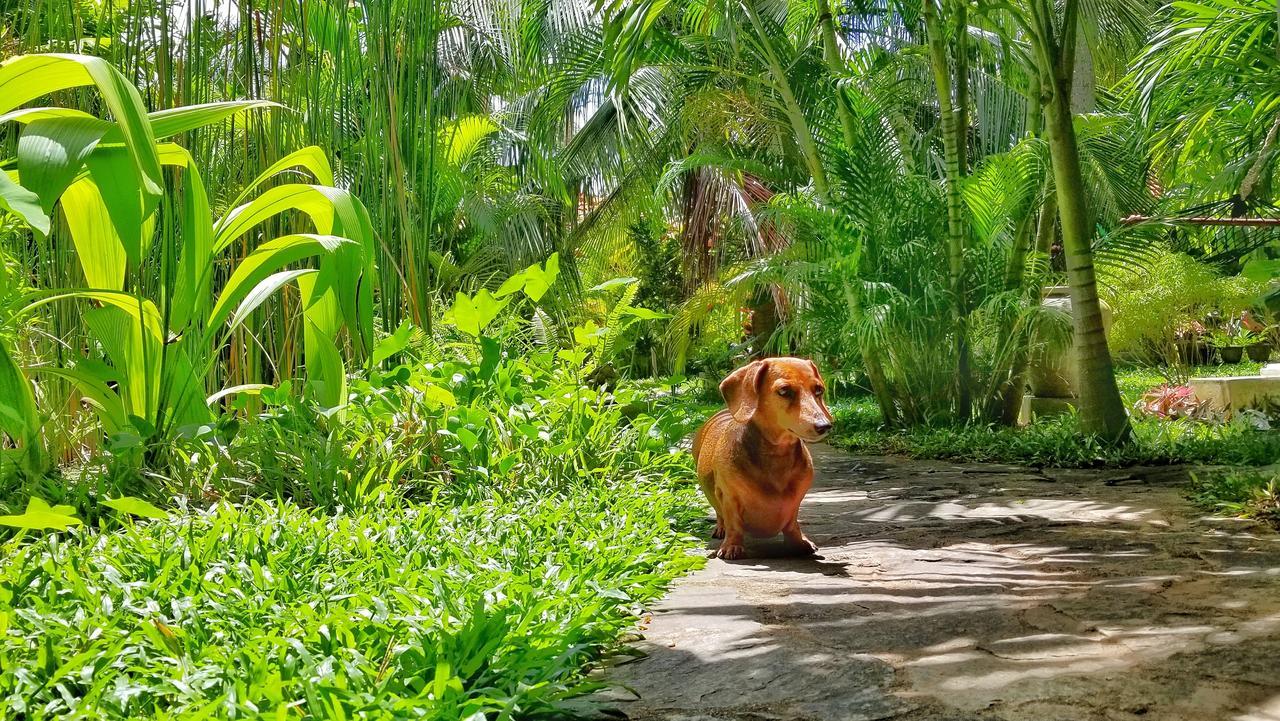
<point x="954" y="142"/>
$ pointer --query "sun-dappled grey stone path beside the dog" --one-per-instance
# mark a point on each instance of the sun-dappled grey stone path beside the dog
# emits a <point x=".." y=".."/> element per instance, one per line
<point x="976" y="592"/>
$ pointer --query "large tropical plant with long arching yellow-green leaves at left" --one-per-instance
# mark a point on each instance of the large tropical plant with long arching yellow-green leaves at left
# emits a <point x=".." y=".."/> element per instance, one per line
<point x="152" y="309"/>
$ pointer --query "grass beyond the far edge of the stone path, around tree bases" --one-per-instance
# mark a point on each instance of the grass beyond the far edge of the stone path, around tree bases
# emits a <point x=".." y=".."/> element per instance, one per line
<point x="1059" y="442"/>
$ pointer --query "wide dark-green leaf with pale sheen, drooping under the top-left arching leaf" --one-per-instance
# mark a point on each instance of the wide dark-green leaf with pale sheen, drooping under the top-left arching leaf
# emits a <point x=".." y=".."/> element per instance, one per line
<point x="52" y="153"/>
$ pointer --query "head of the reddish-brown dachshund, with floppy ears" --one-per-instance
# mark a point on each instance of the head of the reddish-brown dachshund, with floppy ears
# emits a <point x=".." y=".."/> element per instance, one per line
<point x="780" y="396"/>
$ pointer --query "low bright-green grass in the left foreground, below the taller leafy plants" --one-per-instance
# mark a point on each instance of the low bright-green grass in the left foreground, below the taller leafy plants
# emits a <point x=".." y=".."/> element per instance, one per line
<point x="423" y="610"/>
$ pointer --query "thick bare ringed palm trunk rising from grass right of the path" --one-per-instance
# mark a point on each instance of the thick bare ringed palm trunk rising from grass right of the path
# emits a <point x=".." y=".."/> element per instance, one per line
<point x="1101" y="408"/>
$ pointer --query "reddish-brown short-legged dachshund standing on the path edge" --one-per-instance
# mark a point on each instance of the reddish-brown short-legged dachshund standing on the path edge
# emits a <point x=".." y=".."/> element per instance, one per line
<point x="752" y="460"/>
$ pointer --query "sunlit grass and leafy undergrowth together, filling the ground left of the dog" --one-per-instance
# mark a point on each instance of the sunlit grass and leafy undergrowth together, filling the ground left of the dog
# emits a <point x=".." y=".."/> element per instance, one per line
<point x="467" y="539"/>
